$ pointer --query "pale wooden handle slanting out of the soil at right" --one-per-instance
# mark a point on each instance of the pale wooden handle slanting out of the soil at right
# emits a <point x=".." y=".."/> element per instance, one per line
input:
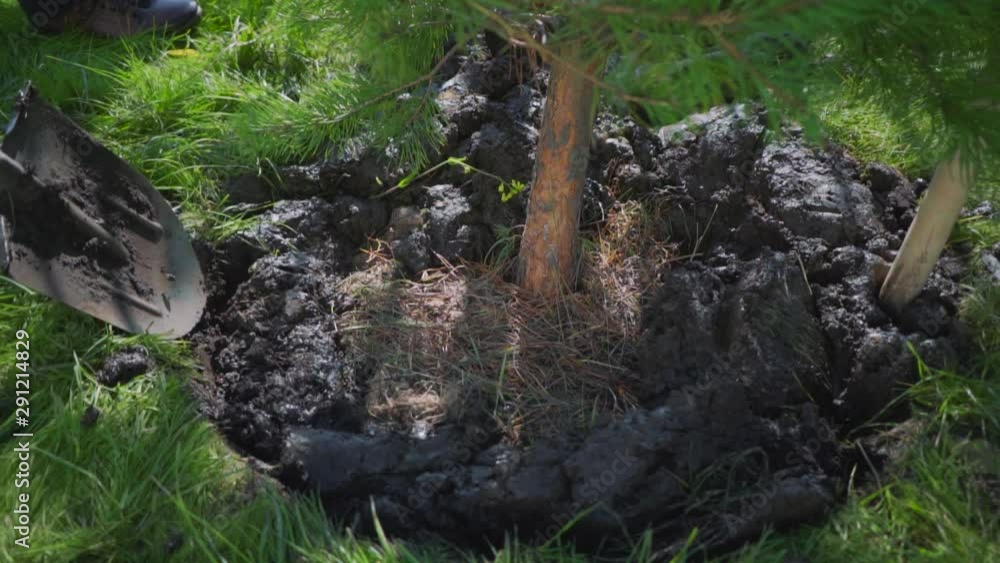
<point x="928" y="234"/>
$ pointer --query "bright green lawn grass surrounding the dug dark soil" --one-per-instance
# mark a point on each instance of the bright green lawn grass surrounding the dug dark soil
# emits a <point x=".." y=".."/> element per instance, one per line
<point x="255" y="87"/>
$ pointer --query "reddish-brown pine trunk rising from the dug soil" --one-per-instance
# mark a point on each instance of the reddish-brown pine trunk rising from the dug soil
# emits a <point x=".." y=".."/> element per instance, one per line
<point x="549" y="249"/>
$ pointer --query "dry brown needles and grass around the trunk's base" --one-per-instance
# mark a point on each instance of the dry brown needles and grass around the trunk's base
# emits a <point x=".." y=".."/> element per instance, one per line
<point x="463" y="342"/>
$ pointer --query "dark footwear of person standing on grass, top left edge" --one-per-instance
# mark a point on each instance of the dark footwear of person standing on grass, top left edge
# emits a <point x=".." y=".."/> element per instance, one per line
<point x="113" y="18"/>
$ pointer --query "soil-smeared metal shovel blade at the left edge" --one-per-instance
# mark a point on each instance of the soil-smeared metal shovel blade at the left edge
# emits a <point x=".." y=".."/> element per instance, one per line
<point x="81" y="226"/>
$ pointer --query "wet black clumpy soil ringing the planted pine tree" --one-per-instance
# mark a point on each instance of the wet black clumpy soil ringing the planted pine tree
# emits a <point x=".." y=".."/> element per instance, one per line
<point x="761" y="349"/>
